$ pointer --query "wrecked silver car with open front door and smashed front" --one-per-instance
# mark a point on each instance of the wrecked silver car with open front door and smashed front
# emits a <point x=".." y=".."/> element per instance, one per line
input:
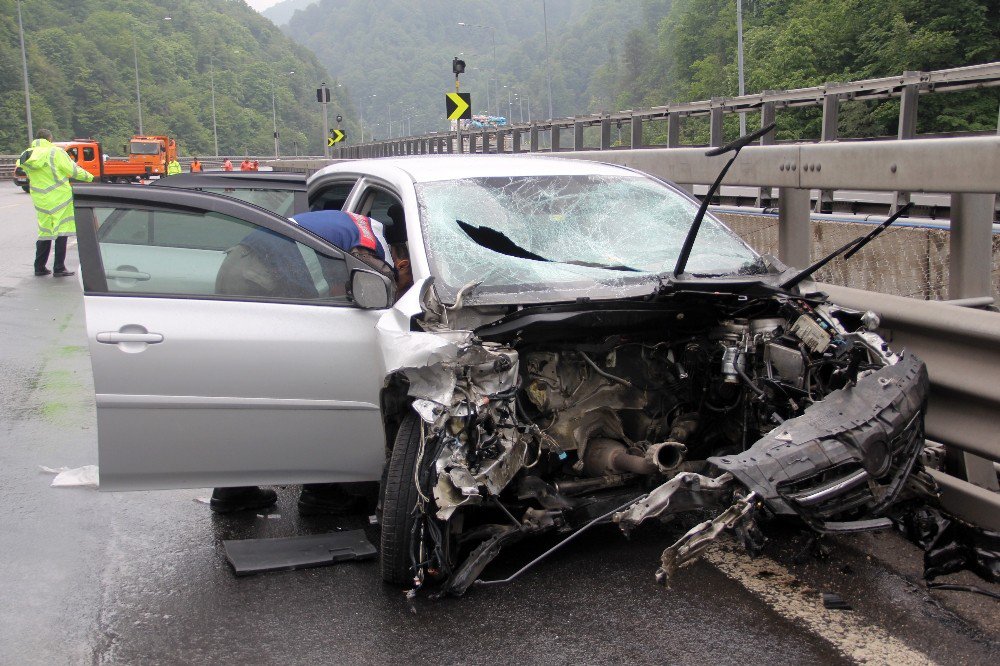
<point x="553" y="367"/>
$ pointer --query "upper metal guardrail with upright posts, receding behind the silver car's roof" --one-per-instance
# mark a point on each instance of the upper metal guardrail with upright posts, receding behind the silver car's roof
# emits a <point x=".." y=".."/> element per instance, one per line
<point x="524" y="137"/>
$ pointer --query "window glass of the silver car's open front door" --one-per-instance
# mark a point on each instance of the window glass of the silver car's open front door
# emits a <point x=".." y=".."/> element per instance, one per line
<point x="210" y="254"/>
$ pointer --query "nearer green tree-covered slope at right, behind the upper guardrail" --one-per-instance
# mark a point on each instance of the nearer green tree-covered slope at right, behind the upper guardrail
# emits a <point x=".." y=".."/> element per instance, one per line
<point x="691" y="55"/>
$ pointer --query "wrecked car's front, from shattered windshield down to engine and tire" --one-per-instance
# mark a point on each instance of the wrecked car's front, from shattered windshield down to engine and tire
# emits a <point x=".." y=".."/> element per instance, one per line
<point x="553" y="376"/>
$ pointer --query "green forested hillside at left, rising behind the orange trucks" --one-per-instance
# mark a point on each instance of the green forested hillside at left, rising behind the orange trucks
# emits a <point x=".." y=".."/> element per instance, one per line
<point x="81" y="68"/>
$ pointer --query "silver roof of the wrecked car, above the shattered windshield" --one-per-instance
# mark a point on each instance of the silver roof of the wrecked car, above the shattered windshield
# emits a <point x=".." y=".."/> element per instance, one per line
<point x="429" y="168"/>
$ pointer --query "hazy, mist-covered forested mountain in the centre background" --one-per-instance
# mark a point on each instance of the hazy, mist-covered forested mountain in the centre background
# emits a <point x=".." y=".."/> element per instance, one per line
<point x="395" y="55"/>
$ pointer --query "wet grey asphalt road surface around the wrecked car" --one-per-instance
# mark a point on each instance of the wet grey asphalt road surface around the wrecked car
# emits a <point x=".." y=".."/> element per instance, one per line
<point x="141" y="577"/>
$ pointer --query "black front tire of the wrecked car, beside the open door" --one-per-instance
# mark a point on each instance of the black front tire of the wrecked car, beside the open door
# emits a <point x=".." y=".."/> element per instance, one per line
<point x="398" y="503"/>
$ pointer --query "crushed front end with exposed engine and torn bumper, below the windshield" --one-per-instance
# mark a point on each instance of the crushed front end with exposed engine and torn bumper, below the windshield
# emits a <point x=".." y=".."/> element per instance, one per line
<point x="744" y="406"/>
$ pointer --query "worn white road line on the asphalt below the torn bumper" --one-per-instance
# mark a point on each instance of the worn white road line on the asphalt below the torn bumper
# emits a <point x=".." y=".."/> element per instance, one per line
<point x="850" y="634"/>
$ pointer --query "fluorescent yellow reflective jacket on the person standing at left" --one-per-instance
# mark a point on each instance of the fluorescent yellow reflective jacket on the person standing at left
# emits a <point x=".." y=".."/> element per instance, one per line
<point x="49" y="169"/>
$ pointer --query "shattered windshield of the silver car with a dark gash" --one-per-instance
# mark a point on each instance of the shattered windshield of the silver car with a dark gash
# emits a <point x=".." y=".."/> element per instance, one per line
<point x="597" y="234"/>
